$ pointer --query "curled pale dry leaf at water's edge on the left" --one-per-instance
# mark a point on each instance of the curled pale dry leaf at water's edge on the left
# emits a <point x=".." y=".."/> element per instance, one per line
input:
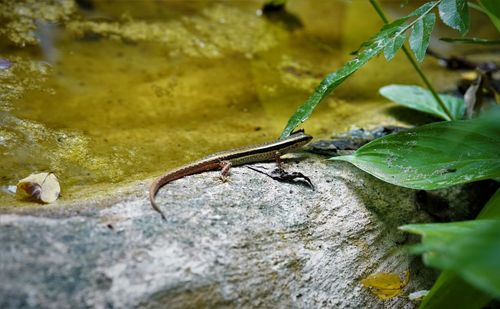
<point x="42" y="187"/>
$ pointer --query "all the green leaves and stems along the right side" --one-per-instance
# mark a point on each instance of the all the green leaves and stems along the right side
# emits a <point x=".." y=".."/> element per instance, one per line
<point x="433" y="156"/>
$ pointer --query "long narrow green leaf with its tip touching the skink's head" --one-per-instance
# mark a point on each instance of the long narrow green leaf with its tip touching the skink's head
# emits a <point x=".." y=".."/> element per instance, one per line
<point x="369" y="49"/>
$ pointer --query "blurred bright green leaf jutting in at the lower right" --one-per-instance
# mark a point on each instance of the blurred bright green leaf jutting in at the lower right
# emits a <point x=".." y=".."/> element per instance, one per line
<point x="469" y="248"/>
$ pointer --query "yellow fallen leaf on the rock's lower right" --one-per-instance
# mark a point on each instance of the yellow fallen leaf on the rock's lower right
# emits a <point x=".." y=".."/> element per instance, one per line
<point x="385" y="285"/>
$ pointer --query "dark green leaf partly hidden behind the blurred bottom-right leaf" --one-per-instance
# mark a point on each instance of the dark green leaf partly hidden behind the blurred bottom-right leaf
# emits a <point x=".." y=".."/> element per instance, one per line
<point x="450" y="290"/>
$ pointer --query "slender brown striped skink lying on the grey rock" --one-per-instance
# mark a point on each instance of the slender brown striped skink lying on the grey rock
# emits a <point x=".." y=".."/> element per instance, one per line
<point x="224" y="160"/>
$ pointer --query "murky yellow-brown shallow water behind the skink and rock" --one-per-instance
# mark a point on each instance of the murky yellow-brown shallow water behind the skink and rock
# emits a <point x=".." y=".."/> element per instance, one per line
<point x="133" y="88"/>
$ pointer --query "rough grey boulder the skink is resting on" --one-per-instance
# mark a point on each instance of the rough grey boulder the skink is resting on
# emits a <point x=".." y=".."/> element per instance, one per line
<point x="249" y="242"/>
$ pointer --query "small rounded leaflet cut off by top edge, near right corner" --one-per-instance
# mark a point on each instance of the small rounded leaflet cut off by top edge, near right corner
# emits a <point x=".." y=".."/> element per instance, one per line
<point x="455" y="13"/>
